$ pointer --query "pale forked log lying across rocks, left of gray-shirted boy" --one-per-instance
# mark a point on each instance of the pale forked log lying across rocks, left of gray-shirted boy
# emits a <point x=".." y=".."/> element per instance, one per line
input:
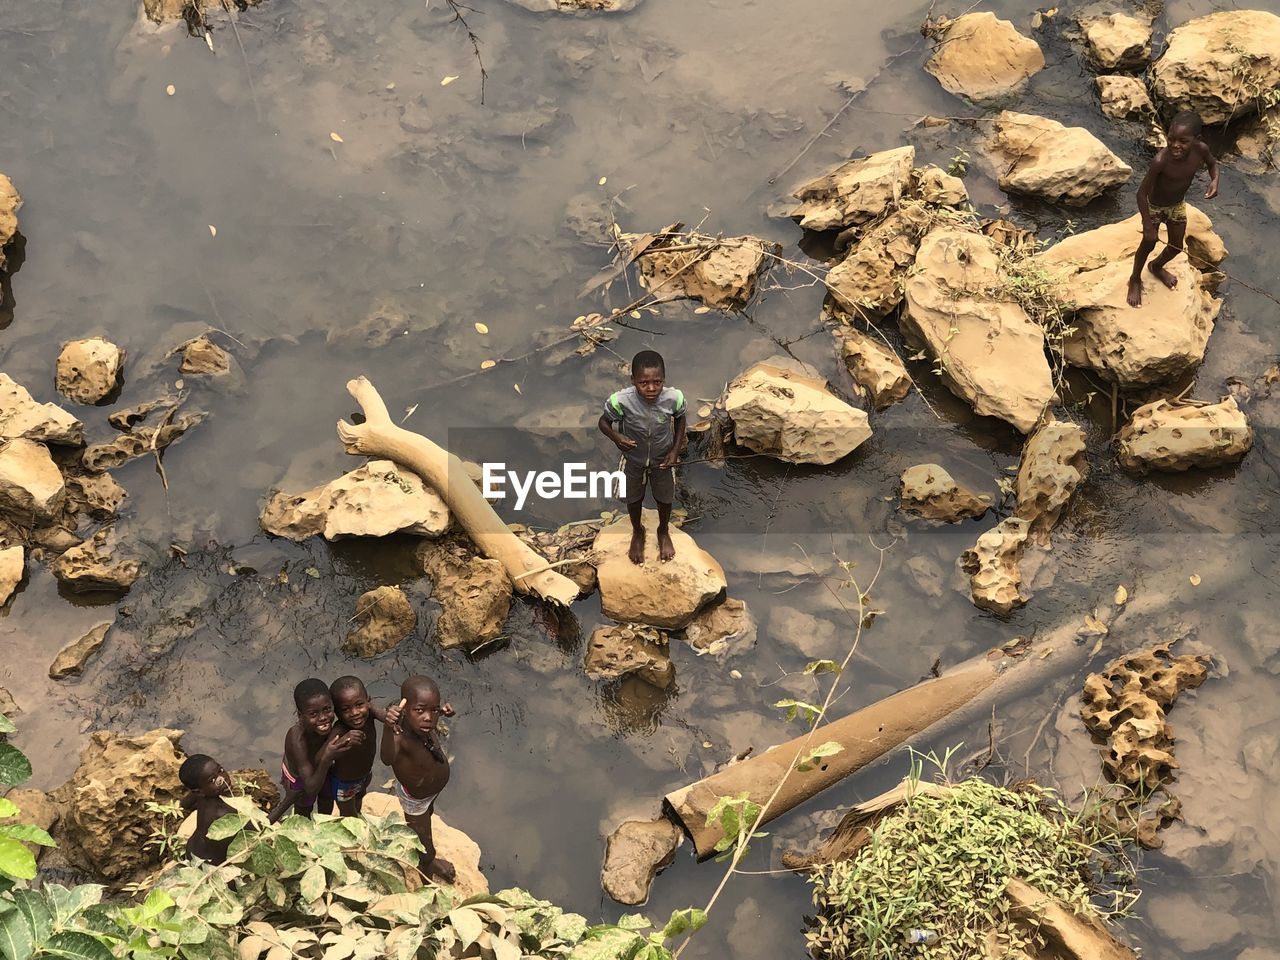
<point x="381" y="437"/>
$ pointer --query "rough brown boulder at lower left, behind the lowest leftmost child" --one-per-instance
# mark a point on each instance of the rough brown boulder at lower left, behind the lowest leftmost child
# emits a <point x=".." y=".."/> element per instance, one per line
<point x="108" y="824"/>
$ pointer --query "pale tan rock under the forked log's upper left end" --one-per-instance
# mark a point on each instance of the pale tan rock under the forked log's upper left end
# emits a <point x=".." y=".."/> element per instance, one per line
<point x="376" y="500"/>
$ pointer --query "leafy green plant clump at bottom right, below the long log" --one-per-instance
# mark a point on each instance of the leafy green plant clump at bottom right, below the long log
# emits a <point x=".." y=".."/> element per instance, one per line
<point x="941" y="863"/>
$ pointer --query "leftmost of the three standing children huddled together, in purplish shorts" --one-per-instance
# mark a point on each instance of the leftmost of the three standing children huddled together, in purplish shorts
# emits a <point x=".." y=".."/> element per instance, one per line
<point x="310" y="748"/>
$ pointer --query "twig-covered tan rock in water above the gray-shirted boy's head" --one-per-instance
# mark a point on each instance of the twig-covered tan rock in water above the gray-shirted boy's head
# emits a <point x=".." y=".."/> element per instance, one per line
<point x="721" y="273"/>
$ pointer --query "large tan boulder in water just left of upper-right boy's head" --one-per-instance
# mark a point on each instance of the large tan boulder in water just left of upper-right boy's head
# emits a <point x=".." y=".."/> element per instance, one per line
<point x="1041" y="158"/>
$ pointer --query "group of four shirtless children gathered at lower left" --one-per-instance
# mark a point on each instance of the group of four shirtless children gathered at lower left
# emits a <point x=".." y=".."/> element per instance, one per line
<point x="330" y="761"/>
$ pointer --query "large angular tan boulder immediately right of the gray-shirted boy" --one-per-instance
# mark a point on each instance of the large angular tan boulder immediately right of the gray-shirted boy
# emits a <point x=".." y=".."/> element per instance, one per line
<point x="785" y="412"/>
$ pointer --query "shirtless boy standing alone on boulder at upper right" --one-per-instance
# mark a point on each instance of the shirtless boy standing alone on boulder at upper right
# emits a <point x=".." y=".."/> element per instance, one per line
<point x="1162" y="198"/>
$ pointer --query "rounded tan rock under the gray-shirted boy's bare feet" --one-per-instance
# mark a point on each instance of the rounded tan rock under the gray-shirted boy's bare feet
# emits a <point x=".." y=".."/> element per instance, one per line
<point x="662" y="595"/>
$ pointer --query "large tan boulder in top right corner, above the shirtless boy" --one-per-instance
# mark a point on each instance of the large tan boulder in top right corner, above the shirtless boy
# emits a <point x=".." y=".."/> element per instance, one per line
<point x="1220" y="66"/>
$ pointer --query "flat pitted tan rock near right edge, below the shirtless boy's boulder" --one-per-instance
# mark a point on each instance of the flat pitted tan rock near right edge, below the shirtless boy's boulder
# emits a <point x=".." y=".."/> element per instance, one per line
<point x="1174" y="437"/>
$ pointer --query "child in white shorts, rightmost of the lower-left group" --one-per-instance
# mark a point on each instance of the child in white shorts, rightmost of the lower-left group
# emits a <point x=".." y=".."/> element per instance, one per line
<point x="412" y="748"/>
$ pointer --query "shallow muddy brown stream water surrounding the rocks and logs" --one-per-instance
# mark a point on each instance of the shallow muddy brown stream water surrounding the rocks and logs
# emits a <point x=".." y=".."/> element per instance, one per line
<point x="441" y="213"/>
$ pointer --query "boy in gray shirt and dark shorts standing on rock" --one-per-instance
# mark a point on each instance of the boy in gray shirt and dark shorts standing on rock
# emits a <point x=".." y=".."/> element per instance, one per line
<point x="647" y="422"/>
